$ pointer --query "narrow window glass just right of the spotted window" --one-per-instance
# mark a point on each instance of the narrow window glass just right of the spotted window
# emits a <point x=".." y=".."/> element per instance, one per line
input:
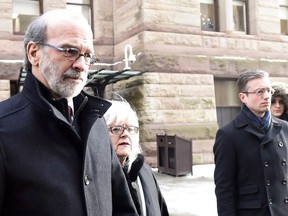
<point x="239" y="16"/>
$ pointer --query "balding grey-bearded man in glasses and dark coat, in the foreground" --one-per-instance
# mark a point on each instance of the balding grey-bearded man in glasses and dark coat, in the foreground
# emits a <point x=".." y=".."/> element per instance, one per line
<point x="52" y="163"/>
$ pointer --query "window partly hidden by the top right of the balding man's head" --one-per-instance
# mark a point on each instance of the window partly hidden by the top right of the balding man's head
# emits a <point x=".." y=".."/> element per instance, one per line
<point x="82" y="6"/>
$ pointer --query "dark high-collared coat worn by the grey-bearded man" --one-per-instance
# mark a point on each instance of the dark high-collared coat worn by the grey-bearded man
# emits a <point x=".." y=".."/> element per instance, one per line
<point x="49" y="167"/>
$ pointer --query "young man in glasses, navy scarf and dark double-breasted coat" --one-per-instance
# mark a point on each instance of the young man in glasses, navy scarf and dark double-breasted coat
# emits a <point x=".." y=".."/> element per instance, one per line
<point x="251" y="155"/>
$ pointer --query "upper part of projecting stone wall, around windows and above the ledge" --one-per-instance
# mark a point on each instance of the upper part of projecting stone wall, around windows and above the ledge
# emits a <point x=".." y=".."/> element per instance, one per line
<point x="170" y="39"/>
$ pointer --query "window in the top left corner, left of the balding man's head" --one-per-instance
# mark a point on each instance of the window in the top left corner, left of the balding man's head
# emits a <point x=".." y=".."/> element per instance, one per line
<point x="24" y="11"/>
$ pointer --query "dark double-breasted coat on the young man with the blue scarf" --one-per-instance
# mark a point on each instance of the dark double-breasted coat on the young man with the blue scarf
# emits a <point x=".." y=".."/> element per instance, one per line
<point x="251" y="169"/>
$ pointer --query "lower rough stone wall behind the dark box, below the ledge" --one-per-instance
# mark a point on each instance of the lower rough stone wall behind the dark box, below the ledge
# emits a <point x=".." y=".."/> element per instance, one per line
<point x="181" y="104"/>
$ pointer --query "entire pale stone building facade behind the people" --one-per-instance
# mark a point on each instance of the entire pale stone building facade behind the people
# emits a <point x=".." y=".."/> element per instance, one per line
<point x="188" y="87"/>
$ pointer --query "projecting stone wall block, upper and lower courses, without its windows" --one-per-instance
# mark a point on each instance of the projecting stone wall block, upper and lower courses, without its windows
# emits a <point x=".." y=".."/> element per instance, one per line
<point x="174" y="48"/>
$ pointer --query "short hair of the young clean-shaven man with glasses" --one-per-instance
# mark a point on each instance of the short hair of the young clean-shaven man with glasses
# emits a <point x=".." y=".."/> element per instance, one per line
<point x="248" y="75"/>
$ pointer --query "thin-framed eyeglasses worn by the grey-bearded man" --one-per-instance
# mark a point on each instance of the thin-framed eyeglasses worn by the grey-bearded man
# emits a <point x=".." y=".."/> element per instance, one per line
<point x="73" y="54"/>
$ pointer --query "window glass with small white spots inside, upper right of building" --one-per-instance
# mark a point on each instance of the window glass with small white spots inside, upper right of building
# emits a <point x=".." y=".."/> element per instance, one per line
<point x="207" y="17"/>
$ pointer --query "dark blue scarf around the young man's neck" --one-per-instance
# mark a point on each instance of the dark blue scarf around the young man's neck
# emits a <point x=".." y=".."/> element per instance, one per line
<point x="262" y="123"/>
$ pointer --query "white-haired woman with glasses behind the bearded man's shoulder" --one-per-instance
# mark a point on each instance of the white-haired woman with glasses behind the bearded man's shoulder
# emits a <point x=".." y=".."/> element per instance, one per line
<point x="123" y="126"/>
